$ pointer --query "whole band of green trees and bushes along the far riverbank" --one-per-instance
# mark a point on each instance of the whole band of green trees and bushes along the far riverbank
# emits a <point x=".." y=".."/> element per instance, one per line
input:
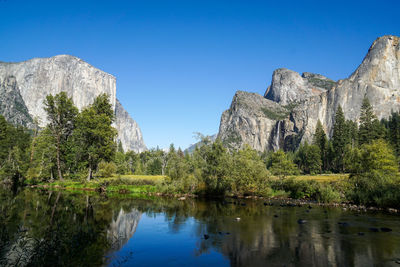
<point x="81" y="146"/>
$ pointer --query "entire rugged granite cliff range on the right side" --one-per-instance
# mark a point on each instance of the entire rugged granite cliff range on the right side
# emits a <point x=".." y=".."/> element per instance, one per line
<point x="288" y="112"/>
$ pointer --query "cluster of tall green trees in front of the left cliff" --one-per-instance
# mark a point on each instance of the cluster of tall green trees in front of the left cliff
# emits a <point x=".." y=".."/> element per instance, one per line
<point x="71" y="145"/>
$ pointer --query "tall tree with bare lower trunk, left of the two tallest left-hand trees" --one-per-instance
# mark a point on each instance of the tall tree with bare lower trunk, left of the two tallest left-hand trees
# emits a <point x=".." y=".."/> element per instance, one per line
<point x="61" y="114"/>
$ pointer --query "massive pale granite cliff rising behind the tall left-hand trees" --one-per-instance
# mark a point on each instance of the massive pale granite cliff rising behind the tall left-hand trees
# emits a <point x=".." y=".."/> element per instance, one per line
<point x="24" y="86"/>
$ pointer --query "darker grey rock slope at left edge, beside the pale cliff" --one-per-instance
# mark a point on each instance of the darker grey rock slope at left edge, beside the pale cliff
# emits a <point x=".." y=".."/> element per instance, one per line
<point x="12" y="106"/>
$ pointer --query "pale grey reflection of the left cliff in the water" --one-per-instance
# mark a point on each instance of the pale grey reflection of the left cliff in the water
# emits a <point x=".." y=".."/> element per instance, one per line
<point x="122" y="228"/>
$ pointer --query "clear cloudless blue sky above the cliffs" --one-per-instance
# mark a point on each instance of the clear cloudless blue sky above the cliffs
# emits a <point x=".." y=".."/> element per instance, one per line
<point x="179" y="63"/>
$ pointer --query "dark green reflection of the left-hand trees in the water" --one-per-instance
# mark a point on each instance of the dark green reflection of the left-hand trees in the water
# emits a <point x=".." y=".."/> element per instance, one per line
<point x="55" y="228"/>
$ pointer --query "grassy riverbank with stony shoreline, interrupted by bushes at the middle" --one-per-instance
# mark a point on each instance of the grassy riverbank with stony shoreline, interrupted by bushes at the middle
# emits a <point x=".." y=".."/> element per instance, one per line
<point x="297" y="192"/>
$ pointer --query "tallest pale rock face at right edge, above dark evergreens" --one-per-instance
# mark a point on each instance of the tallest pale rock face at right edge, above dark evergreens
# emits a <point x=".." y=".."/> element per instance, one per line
<point x="378" y="78"/>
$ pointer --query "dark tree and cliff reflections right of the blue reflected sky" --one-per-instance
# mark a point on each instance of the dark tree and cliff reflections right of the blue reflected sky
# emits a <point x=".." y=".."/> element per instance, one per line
<point x="260" y="239"/>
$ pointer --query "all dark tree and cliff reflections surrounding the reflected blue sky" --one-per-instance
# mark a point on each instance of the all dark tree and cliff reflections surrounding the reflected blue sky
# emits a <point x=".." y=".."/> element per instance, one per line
<point x="76" y="229"/>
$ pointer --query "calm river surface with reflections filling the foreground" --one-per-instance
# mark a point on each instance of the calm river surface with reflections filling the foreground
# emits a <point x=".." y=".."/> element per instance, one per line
<point x="77" y="229"/>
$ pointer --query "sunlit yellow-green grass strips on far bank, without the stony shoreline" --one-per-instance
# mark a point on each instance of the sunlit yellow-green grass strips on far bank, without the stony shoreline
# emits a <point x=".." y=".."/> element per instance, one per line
<point x="300" y="186"/>
